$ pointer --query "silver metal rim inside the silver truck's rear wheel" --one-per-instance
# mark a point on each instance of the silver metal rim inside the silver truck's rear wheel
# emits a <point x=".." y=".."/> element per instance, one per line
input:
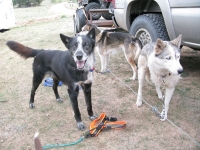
<point x="143" y="36"/>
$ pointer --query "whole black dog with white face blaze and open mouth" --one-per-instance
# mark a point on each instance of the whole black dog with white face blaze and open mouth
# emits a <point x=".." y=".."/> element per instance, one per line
<point x="73" y="67"/>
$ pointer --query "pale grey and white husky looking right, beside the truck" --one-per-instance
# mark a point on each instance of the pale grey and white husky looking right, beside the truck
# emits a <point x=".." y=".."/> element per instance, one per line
<point x="159" y="62"/>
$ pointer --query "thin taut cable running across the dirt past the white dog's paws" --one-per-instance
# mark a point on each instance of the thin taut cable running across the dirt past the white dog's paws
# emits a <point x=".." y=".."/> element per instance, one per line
<point x="198" y="144"/>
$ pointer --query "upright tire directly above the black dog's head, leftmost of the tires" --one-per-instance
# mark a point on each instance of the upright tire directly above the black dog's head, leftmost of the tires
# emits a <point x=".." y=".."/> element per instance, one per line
<point x="79" y="20"/>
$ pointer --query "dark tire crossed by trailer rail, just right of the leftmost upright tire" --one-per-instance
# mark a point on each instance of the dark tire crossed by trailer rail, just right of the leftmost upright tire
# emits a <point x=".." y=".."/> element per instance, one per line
<point x="93" y="5"/>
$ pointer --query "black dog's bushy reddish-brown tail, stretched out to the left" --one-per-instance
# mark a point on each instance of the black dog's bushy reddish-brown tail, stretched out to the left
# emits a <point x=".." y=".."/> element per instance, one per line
<point x="22" y="50"/>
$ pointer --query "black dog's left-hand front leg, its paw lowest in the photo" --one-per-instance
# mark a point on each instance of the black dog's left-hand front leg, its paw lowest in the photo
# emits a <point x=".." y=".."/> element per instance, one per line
<point x="73" y="94"/>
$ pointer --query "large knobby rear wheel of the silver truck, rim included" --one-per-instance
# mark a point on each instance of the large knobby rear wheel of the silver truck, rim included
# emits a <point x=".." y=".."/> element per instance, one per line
<point x="148" y="28"/>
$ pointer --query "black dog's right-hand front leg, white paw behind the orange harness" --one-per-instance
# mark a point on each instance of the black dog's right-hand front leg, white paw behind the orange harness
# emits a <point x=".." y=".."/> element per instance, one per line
<point x="86" y="86"/>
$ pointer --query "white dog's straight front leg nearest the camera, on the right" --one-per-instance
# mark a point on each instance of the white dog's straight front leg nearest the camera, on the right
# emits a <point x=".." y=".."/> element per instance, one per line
<point x="168" y="96"/>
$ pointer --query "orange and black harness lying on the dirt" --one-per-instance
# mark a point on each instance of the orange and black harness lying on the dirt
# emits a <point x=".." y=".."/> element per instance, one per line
<point x="104" y="123"/>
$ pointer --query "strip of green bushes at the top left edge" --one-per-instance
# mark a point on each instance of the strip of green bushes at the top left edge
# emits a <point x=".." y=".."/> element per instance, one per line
<point x="26" y="3"/>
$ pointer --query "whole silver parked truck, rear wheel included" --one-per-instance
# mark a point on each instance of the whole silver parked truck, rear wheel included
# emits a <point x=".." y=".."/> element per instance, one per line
<point x="165" y="19"/>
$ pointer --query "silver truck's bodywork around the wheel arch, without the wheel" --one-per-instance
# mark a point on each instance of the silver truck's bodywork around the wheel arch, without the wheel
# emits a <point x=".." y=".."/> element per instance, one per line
<point x="180" y="17"/>
